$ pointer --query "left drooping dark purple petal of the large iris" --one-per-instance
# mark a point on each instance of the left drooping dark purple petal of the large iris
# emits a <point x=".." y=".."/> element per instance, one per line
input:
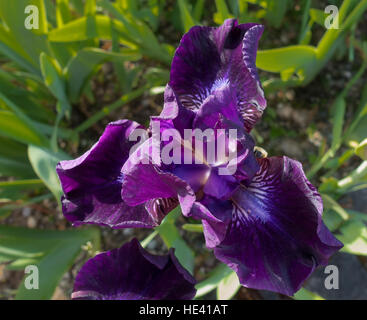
<point x="92" y="183"/>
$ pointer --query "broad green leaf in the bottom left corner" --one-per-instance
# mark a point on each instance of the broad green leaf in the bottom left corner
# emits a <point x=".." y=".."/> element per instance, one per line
<point x="53" y="252"/>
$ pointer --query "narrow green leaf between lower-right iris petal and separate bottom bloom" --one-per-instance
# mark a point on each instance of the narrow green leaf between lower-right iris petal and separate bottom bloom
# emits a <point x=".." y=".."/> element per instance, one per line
<point x="172" y="239"/>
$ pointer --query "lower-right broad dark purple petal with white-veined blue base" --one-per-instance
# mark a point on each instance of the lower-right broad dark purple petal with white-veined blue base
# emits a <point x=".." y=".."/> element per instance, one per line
<point x="276" y="237"/>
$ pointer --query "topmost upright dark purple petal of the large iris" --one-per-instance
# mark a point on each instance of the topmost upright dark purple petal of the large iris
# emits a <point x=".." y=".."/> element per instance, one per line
<point x="210" y="60"/>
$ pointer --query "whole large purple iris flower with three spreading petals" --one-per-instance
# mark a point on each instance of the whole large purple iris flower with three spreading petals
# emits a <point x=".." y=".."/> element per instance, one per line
<point x="263" y="218"/>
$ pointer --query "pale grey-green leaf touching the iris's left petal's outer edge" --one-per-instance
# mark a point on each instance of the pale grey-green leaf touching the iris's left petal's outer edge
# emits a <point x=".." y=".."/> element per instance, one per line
<point x="44" y="164"/>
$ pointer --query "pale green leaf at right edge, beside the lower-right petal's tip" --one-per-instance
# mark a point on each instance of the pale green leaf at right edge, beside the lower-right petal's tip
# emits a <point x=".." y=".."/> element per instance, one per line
<point x="354" y="237"/>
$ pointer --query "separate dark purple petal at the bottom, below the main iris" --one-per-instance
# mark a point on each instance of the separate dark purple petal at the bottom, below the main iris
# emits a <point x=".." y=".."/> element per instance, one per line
<point x="131" y="273"/>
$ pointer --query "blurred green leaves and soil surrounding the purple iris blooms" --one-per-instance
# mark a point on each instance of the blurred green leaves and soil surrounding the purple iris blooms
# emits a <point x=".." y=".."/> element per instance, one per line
<point x="94" y="61"/>
